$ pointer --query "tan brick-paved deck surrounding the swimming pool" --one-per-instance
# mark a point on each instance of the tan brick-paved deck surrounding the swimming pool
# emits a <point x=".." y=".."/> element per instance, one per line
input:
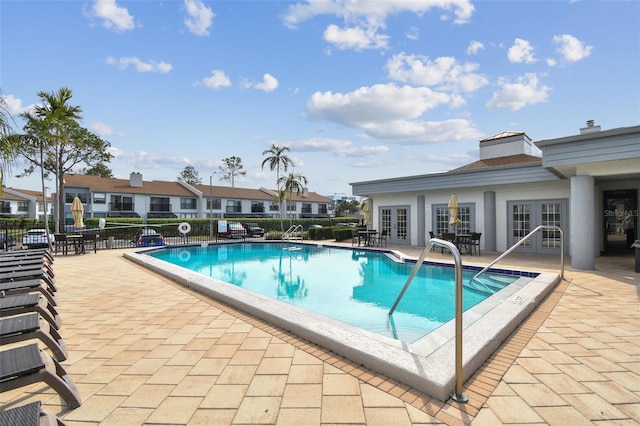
<point x="144" y="350"/>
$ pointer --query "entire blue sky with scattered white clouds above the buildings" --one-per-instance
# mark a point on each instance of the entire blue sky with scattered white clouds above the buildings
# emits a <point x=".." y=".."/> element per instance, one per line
<point x="357" y="90"/>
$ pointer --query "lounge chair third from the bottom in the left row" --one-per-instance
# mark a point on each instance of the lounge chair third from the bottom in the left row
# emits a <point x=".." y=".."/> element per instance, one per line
<point x="32" y="326"/>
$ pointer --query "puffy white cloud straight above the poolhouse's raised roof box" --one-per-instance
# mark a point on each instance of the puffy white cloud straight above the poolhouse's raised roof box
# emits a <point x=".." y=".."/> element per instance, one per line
<point x="526" y="90"/>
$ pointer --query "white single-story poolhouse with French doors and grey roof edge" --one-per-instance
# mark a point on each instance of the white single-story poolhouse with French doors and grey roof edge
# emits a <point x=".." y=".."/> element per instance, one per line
<point x="586" y="183"/>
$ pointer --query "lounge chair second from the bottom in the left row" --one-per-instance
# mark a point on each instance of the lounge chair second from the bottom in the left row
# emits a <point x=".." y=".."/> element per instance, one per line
<point x="25" y="365"/>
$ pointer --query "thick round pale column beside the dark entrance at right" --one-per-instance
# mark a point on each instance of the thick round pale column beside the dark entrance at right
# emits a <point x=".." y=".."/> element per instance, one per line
<point x="583" y="243"/>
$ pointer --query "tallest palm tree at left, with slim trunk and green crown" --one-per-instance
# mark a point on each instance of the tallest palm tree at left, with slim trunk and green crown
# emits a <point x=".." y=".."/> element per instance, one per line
<point x="55" y="111"/>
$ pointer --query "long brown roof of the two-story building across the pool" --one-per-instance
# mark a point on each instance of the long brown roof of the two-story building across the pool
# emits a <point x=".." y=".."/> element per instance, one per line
<point x="157" y="187"/>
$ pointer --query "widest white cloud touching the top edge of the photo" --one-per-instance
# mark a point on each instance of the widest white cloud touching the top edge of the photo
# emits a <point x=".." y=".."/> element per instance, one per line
<point x="363" y="20"/>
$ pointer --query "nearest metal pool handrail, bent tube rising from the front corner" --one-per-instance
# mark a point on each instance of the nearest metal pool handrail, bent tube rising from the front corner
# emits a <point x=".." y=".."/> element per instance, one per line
<point x="457" y="394"/>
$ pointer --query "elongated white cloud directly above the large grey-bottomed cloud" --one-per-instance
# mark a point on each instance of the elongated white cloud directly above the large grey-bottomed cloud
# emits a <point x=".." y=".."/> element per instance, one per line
<point x="444" y="72"/>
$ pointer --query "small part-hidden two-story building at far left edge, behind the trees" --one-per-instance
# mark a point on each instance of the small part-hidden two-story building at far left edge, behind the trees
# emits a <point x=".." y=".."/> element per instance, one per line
<point x="25" y="203"/>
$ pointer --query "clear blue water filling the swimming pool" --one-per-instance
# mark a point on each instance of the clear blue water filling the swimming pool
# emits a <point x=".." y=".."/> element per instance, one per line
<point x="354" y="286"/>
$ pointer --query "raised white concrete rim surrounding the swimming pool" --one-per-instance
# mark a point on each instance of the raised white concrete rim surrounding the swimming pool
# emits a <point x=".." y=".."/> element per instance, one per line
<point x="426" y="364"/>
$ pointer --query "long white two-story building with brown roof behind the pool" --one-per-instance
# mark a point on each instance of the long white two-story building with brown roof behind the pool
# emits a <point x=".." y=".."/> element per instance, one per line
<point x="107" y="197"/>
